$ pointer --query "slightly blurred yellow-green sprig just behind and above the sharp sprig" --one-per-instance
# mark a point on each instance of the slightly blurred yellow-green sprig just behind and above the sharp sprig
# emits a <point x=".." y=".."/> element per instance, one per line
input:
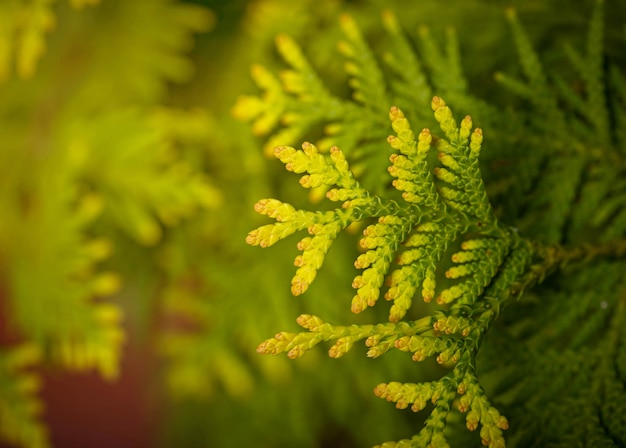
<point x="297" y="102"/>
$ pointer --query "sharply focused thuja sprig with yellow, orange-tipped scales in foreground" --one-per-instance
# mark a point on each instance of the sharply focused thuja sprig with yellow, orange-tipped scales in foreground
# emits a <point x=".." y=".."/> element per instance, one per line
<point x="401" y="254"/>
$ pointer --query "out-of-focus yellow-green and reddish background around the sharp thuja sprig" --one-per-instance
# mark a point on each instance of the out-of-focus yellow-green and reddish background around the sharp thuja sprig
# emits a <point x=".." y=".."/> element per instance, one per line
<point x="126" y="192"/>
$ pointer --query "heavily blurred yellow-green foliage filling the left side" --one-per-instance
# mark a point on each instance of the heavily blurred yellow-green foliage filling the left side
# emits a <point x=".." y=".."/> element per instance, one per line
<point x="94" y="165"/>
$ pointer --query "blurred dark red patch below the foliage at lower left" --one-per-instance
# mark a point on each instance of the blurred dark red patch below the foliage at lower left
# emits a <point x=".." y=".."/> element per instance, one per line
<point x="84" y="411"/>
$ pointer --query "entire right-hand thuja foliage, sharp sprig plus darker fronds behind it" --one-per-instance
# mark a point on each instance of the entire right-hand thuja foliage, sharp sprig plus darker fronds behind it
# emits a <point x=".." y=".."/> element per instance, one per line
<point x="519" y="269"/>
